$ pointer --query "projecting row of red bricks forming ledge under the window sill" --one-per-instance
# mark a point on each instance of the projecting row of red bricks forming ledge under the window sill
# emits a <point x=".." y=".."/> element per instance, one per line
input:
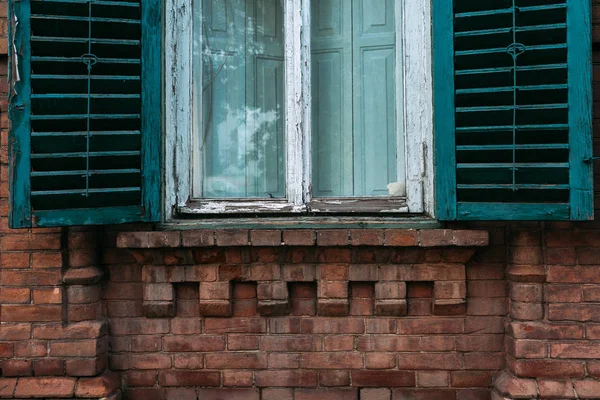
<point x="304" y="237"/>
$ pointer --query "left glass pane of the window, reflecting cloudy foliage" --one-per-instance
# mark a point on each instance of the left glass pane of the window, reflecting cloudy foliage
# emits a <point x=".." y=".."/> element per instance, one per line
<point x="239" y="69"/>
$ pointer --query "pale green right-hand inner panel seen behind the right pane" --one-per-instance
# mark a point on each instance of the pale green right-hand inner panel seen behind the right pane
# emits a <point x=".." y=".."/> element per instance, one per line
<point x="374" y="88"/>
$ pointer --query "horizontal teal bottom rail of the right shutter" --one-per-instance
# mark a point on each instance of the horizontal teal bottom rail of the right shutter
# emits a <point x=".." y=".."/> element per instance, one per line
<point x="512" y="212"/>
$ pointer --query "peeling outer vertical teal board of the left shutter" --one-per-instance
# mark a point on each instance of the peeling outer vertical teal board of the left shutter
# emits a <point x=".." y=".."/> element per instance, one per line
<point x="19" y="214"/>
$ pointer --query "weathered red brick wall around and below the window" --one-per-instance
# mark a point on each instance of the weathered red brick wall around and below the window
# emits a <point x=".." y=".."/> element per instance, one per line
<point x="276" y="315"/>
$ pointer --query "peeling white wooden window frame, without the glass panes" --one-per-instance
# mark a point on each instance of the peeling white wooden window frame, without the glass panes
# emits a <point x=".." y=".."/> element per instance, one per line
<point x="414" y="123"/>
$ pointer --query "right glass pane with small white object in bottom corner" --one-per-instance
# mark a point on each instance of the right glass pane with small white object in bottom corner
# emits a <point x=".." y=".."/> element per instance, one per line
<point x="355" y="139"/>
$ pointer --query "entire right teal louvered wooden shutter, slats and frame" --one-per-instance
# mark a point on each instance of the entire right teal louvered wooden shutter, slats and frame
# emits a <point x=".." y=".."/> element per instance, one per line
<point x="513" y="109"/>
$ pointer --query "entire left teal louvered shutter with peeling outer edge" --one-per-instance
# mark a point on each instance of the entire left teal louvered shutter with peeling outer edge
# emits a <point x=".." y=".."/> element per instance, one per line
<point x="85" y="106"/>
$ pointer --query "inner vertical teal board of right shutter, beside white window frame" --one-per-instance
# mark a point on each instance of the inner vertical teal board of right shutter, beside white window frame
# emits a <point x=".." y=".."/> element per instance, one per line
<point x="443" y="108"/>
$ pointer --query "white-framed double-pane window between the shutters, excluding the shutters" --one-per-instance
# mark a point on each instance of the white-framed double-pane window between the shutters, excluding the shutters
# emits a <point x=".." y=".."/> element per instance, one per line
<point x="300" y="106"/>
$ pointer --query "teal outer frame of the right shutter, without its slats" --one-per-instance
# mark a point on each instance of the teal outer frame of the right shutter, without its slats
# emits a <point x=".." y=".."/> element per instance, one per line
<point x="581" y="202"/>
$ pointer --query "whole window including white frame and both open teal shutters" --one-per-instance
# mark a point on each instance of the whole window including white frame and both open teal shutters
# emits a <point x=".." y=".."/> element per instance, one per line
<point x="126" y="111"/>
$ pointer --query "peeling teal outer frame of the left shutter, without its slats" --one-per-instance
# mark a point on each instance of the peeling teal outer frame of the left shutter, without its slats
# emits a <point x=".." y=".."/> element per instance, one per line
<point x="21" y="213"/>
